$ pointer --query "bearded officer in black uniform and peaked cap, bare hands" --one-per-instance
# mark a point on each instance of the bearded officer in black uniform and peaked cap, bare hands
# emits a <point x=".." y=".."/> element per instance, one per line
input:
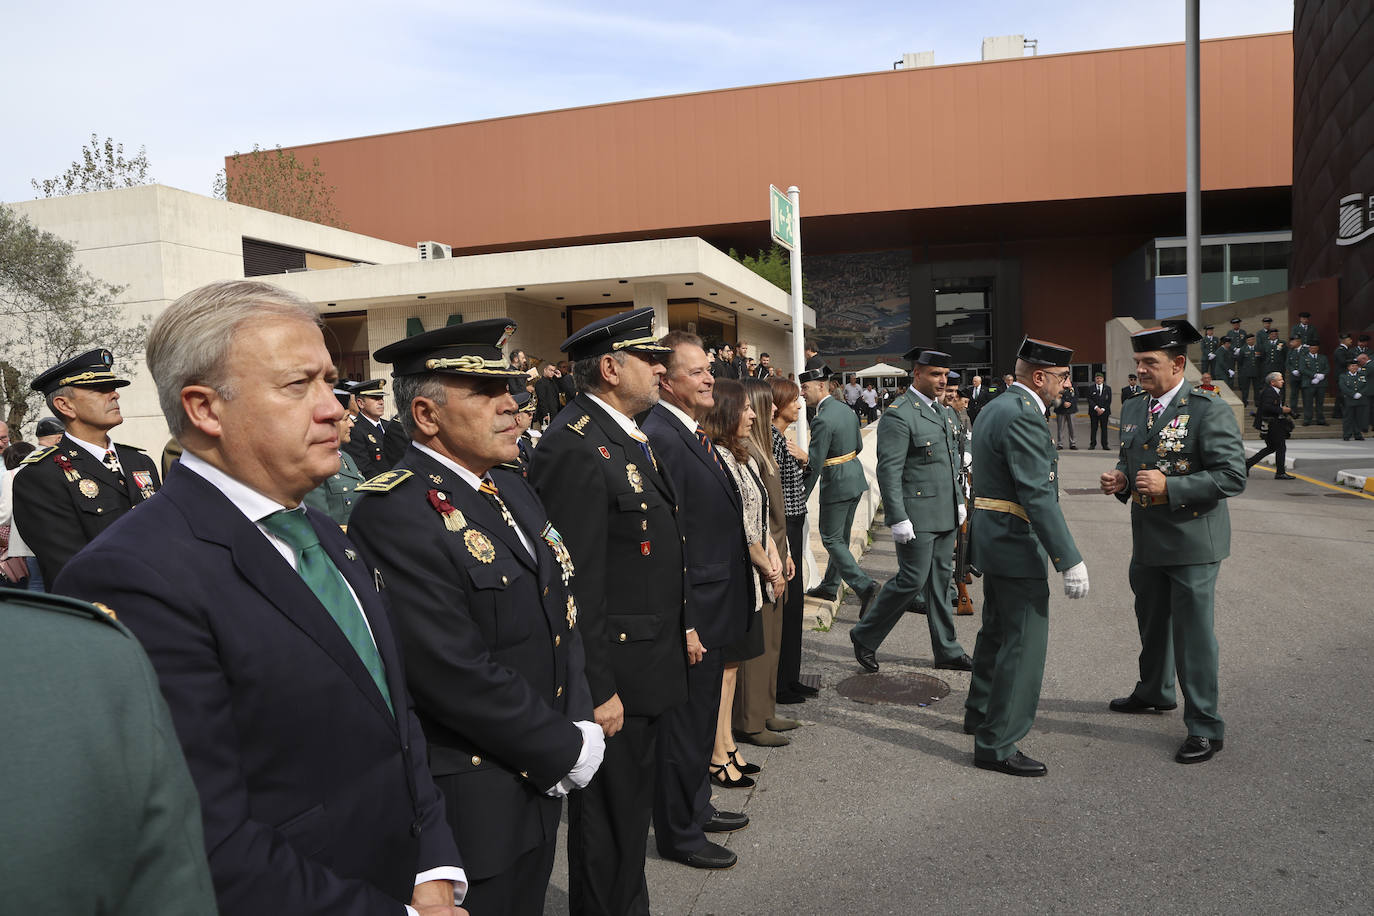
<point x="608" y="495"/>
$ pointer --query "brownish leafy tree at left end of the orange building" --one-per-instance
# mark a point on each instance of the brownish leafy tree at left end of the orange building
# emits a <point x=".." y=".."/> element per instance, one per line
<point x="277" y="181"/>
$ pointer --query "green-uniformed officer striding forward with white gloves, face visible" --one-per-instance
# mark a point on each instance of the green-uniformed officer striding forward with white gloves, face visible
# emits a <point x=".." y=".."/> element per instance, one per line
<point x="919" y="470"/>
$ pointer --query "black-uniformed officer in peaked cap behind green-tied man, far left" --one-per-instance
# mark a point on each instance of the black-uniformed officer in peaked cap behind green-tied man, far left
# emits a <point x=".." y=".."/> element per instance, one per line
<point x="80" y="487"/>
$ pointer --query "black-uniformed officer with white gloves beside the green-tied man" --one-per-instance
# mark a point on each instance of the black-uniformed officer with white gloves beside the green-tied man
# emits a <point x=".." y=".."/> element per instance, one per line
<point x="480" y="590"/>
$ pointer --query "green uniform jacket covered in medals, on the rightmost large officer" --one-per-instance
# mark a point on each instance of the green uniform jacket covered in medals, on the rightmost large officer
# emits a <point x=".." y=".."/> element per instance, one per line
<point x="1196" y="444"/>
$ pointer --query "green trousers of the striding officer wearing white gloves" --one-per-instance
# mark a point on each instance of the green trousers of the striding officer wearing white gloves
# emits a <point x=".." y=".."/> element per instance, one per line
<point x="925" y="568"/>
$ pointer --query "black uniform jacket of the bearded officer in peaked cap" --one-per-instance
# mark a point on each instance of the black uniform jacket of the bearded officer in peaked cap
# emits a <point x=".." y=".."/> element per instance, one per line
<point x="620" y="525"/>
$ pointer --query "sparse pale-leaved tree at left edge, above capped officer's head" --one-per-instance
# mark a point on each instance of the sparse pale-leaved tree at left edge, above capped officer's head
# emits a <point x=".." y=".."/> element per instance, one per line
<point x="50" y="311"/>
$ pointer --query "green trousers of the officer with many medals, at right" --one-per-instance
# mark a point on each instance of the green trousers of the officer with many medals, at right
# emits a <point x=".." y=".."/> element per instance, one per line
<point x="1174" y="610"/>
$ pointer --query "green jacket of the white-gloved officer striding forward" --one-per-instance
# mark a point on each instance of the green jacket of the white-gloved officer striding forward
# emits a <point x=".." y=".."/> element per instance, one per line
<point x="919" y="461"/>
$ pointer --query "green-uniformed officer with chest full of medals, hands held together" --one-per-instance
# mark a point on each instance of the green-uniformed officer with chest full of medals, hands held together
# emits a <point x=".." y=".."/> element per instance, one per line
<point x="1181" y="459"/>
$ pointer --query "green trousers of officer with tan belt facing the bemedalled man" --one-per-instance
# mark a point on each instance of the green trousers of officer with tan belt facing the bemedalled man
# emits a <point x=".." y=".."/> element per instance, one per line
<point x="1008" y="664"/>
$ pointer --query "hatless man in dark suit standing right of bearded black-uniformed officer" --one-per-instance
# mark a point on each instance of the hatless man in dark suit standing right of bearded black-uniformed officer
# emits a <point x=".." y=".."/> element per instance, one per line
<point x="718" y="606"/>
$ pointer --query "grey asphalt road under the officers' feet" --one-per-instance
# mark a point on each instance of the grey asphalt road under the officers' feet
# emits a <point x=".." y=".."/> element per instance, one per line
<point x="879" y="808"/>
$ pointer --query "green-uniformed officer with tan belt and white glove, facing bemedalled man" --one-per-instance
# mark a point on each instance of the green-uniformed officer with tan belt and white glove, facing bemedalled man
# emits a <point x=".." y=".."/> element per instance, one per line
<point x="1017" y="525"/>
